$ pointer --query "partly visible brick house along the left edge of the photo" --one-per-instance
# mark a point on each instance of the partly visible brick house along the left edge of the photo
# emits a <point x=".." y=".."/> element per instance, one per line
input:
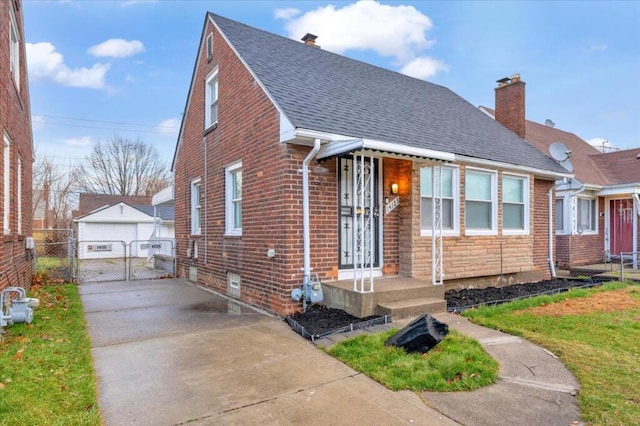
<point x="17" y="153"/>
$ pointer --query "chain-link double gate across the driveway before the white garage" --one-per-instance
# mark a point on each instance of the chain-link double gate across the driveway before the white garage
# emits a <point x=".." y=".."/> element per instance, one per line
<point x="118" y="261"/>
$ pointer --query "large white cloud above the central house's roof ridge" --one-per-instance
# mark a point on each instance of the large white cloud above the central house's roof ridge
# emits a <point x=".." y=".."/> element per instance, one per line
<point x="392" y="31"/>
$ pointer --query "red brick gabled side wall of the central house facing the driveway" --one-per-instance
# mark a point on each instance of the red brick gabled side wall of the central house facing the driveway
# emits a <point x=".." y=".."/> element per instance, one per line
<point x="248" y="131"/>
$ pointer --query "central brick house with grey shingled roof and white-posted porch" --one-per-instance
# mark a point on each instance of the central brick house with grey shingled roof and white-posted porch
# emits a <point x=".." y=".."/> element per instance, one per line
<point x="293" y="163"/>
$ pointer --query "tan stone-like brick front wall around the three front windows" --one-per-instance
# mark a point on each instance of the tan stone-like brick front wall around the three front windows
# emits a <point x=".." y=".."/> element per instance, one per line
<point x="476" y="261"/>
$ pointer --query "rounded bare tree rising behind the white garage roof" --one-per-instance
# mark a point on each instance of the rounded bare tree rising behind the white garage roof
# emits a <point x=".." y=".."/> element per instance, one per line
<point x="124" y="167"/>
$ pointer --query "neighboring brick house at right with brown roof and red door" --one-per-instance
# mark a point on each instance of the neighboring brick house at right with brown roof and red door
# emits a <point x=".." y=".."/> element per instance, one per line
<point x="597" y="213"/>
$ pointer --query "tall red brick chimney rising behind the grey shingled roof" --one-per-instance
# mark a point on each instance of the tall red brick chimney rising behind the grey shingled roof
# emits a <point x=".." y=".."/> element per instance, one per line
<point x="510" y="104"/>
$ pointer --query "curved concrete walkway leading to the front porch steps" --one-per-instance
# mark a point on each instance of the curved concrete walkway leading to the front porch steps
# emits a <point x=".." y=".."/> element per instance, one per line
<point x="534" y="387"/>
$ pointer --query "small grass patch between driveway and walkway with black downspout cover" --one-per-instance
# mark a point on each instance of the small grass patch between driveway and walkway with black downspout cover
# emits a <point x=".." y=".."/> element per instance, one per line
<point x="456" y="363"/>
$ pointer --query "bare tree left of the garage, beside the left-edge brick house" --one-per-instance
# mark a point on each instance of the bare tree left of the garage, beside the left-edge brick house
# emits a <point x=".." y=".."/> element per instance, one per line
<point x="54" y="193"/>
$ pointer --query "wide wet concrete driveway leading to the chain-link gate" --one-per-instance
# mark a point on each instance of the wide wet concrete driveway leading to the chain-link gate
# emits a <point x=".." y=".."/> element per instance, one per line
<point x="167" y="352"/>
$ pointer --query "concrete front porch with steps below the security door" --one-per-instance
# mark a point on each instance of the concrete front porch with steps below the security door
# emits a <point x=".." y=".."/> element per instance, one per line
<point x="398" y="296"/>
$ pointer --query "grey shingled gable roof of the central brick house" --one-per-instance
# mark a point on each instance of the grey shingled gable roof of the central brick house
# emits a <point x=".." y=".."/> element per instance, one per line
<point x="322" y="91"/>
